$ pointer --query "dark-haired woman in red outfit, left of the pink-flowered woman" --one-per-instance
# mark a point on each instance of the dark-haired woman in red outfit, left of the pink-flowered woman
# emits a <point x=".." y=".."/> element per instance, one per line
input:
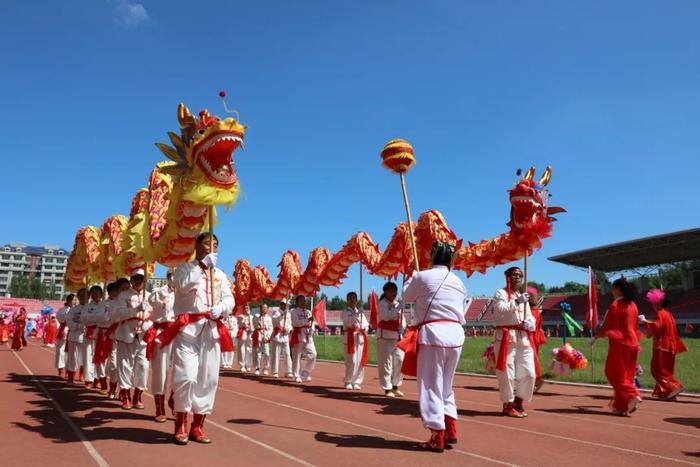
<point x="622" y="330"/>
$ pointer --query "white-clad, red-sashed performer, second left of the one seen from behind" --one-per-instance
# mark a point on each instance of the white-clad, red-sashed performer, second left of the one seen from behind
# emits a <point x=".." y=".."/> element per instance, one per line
<point x="356" y="345"/>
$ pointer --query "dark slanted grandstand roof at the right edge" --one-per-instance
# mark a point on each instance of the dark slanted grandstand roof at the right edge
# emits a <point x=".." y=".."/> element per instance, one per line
<point x="648" y="251"/>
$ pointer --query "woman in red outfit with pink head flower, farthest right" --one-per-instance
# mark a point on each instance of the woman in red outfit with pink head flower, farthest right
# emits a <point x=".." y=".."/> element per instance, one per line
<point x="667" y="344"/>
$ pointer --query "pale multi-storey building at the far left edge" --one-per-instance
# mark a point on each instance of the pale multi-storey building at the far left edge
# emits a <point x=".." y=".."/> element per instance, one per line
<point x="47" y="263"/>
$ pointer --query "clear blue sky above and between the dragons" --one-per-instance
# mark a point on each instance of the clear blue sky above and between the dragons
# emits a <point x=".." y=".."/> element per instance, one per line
<point x="605" y="92"/>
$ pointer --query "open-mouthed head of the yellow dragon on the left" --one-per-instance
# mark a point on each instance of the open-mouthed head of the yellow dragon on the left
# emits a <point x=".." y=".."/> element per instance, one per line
<point x="203" y="151"/>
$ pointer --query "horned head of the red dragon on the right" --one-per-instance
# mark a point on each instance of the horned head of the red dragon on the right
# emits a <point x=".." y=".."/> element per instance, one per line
<point x="528" y="202"/>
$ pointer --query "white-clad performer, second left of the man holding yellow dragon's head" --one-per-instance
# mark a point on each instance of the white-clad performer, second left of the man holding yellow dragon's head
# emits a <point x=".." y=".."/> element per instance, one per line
<point x="134" y="314"/>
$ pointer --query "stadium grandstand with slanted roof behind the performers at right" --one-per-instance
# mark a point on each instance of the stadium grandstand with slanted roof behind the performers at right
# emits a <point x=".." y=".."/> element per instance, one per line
<point x="641" y="259"/>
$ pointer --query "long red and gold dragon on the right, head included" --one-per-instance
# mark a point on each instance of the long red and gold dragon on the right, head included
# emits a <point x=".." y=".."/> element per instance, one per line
<point x="530" y="222"/>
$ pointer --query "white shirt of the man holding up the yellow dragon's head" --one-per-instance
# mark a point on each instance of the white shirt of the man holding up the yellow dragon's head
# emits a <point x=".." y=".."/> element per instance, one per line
<point x="192" y="295"/>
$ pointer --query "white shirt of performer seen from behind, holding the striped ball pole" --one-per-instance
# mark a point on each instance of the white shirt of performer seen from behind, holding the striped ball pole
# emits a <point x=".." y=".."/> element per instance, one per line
<point x="446" y="301"/>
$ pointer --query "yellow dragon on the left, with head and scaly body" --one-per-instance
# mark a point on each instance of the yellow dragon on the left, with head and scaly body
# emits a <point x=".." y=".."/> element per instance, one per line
<point x="168" y="215"/>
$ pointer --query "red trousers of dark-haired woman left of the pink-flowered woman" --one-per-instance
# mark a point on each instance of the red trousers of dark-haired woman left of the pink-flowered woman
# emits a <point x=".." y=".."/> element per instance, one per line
<point x="620" y="367"/>
